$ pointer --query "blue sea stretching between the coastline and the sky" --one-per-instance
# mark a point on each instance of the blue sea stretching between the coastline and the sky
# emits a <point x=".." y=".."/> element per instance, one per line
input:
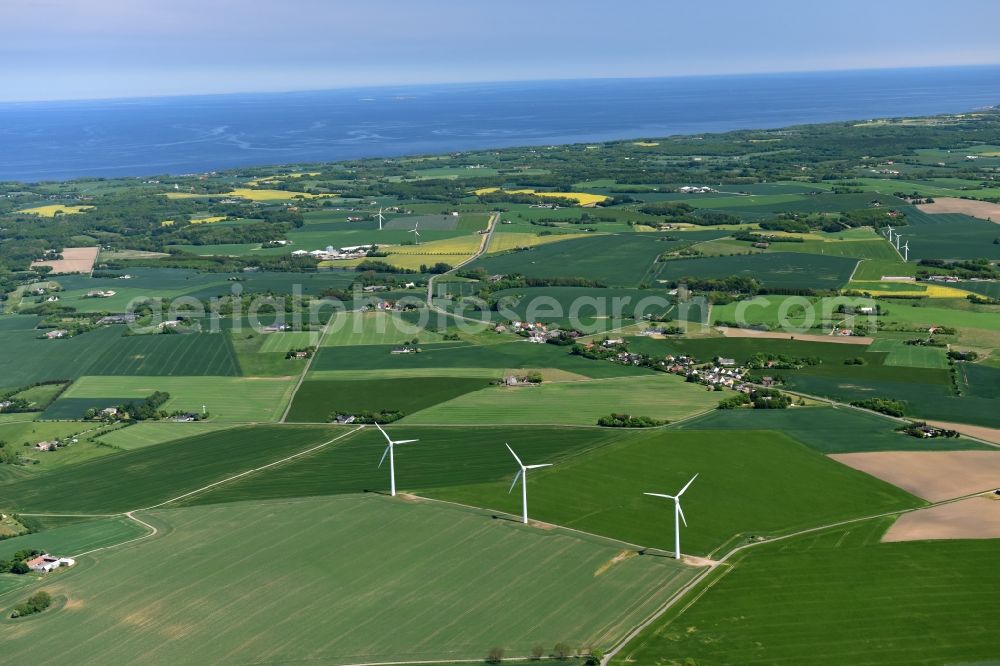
<point x="136" y="137"/>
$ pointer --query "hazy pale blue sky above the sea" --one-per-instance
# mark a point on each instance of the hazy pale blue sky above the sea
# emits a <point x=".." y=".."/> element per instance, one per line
<point x="64" y="49"/>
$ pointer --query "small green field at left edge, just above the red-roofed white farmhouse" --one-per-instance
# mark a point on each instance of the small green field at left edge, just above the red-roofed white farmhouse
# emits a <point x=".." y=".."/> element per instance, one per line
<point x="71" y="540"/>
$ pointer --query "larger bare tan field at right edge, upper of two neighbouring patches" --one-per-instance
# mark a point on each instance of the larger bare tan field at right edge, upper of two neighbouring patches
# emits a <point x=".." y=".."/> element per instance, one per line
<point x="932" y="475"/>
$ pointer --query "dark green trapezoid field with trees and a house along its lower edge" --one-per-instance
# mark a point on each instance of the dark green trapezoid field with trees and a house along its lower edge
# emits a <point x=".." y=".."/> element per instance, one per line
<point x="317" y="400"/>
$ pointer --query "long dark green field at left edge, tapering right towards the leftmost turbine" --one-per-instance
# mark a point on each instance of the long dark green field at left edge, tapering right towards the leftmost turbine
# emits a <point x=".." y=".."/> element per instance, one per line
<point x="141" y="478"/>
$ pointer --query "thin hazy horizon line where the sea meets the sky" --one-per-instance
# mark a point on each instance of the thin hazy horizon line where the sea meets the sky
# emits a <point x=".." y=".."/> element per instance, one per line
<point x="383" y="86"/>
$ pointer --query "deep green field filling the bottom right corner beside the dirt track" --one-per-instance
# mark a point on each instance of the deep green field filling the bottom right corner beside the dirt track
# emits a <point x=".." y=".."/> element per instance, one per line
<point x="838" y="598"/>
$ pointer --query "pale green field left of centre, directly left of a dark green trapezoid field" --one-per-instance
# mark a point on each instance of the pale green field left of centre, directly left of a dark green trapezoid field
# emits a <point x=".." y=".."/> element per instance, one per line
<point x="226" y="398"/>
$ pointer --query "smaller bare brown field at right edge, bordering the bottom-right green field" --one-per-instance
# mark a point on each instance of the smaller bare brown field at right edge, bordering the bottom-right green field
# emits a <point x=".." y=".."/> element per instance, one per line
<point x="973" y="518"/>
